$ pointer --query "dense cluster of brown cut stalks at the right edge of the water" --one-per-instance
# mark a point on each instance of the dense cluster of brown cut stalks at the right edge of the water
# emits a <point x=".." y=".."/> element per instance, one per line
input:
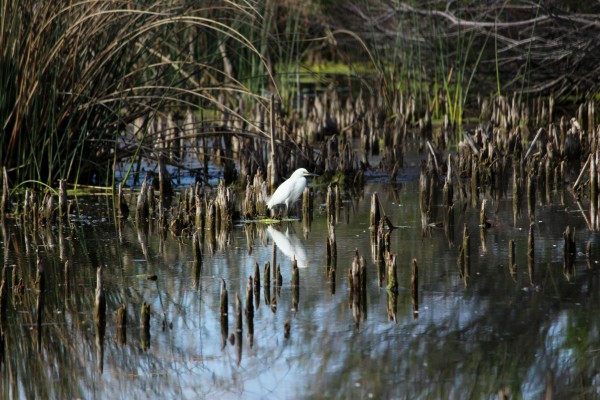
<point x="521" y="149"/>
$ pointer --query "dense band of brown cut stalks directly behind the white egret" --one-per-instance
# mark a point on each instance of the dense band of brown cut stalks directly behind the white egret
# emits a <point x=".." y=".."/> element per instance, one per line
<point x="322" y="135"/>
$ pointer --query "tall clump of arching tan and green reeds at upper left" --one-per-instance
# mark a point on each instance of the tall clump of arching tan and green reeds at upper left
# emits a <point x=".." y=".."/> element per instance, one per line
<point x="76" y="73"/>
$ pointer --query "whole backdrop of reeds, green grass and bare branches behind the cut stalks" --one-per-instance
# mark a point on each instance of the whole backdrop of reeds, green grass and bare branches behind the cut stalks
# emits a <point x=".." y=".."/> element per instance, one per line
<point x="76" y="75"/>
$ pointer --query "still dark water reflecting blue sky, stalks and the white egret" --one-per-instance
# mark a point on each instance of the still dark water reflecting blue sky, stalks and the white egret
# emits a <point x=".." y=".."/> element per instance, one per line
<point x="522" y="334"/>
